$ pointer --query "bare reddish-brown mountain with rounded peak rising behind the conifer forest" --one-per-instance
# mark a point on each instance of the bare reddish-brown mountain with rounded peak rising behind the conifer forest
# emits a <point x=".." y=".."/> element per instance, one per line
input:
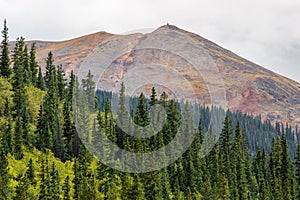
<point x="249" y="87"/>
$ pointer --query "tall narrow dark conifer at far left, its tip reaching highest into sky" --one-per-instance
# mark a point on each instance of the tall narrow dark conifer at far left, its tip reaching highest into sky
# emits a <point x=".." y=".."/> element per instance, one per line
<point x="5" y="70"/>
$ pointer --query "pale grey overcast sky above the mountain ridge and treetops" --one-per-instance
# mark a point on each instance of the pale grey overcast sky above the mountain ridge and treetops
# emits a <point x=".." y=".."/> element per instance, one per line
<point x="265" y="32"/>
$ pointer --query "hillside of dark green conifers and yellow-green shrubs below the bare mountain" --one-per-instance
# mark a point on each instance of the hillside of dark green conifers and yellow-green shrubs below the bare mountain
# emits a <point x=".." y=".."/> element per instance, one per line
<point x="42" y="155"/>
